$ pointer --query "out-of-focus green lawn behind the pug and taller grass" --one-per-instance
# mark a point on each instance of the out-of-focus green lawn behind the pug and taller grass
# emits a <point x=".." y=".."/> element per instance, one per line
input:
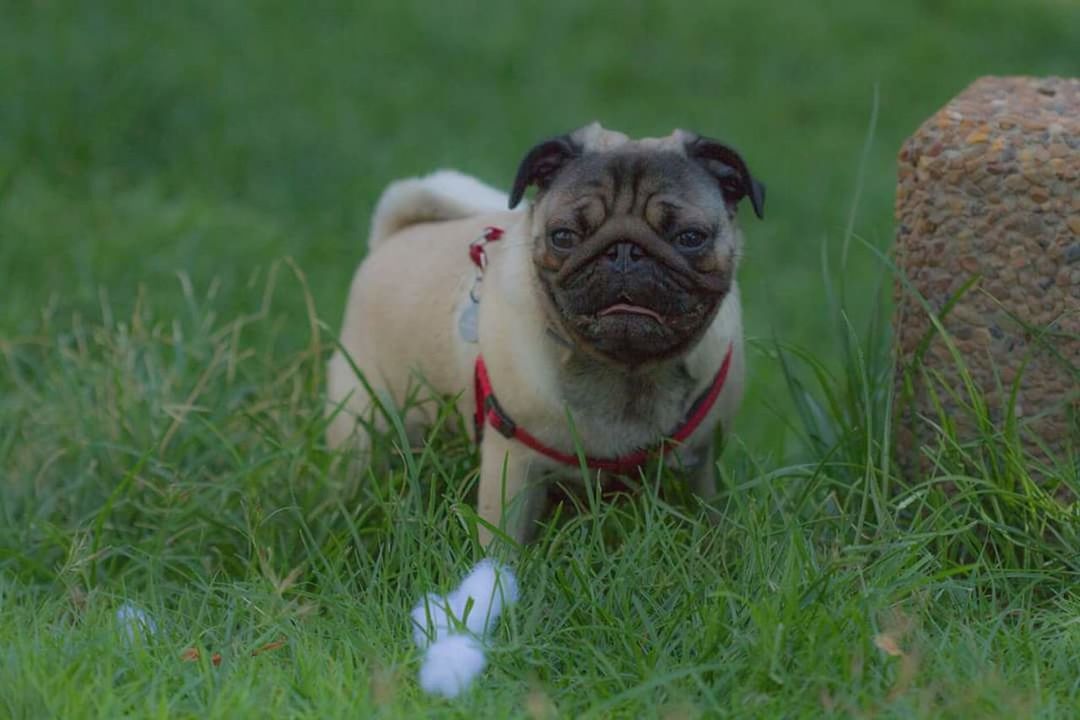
<point x="139" y="141"/>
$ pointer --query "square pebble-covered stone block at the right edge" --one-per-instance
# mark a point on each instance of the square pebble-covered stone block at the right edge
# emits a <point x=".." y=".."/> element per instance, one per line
<point x="990" y="187"/>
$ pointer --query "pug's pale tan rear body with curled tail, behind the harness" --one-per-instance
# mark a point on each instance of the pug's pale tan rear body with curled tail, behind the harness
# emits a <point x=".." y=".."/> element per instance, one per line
<point x="431" y="222"/>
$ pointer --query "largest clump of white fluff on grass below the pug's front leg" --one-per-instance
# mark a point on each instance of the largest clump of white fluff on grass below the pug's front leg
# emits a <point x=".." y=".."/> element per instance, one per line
<point x="453" y="629"/>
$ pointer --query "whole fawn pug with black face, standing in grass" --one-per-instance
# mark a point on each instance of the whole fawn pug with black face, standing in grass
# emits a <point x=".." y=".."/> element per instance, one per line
<point x="596" y="328"/>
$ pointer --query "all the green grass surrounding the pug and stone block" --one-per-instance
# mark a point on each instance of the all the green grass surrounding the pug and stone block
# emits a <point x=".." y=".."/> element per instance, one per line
<point x="161" y="373"/>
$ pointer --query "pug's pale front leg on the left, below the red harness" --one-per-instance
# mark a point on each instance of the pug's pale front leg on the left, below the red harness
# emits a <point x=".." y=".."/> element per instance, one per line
<point x="512" y="493"/>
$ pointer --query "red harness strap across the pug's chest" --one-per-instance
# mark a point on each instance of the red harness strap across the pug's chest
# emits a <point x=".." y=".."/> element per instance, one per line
<point x="489" y="412"/>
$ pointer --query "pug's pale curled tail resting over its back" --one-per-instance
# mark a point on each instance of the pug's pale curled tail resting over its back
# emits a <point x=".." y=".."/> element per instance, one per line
<point x="442" y="196"/>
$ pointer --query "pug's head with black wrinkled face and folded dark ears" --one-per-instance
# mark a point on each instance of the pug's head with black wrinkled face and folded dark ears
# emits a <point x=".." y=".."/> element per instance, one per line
<point x="636" y="242"/>
